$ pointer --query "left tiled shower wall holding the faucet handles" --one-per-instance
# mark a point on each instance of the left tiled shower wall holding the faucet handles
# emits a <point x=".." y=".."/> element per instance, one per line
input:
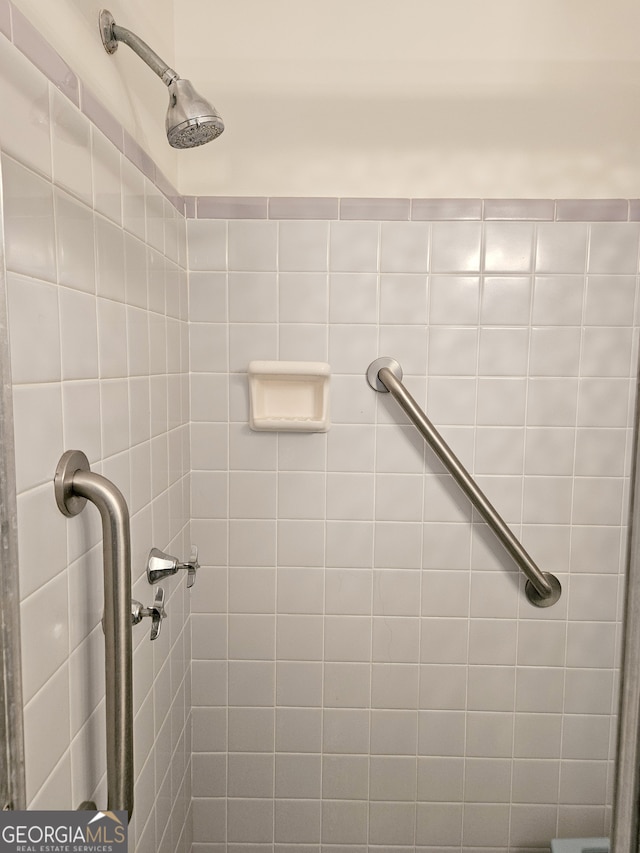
<point x="97" y="295"/>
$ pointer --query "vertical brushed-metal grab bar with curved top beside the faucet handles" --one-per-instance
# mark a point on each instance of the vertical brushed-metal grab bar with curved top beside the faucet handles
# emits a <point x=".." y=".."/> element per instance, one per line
<point x="74" y="485"/>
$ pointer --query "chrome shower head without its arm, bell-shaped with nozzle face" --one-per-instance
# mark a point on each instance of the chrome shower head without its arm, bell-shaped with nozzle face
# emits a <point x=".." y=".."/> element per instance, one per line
<point x="191" y="120"/>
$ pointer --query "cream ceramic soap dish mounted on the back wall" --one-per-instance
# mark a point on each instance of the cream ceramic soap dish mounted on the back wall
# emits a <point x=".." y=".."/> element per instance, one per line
<point x="289" y="395"/>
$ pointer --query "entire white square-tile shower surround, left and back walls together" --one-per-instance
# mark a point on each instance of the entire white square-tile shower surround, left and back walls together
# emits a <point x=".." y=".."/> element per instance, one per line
<point x="367" y="671"/>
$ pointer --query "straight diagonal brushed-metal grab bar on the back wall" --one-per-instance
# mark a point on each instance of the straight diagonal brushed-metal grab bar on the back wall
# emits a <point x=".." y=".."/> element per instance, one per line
<point x="542" y="588"/>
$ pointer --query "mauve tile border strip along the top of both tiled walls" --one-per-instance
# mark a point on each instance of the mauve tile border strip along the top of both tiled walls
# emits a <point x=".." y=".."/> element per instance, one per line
<point x="21" y="32"/>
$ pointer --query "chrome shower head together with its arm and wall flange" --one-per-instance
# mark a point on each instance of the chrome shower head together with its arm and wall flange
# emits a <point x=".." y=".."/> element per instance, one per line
<point x="191" y="120"/>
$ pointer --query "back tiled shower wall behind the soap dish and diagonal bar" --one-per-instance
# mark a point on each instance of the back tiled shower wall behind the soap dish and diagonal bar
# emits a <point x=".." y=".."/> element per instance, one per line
<point x="366" y="667"/>
